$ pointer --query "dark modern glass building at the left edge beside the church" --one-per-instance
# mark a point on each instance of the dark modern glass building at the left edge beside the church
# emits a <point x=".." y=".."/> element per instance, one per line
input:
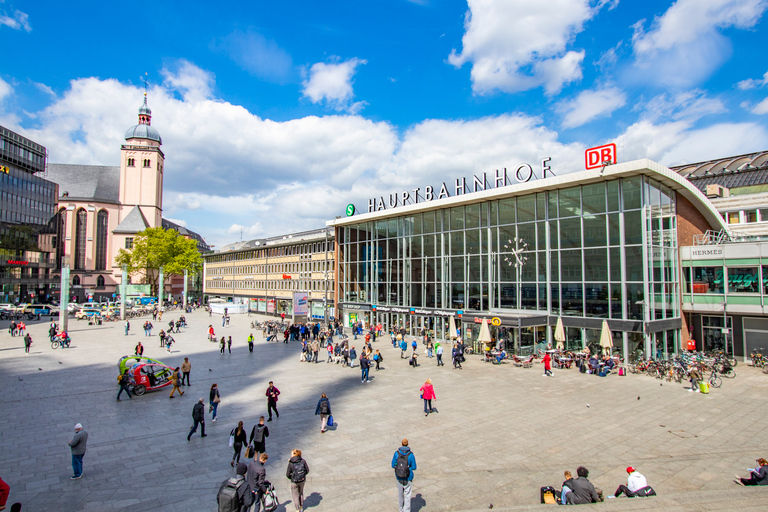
<point x="27" y="221"/>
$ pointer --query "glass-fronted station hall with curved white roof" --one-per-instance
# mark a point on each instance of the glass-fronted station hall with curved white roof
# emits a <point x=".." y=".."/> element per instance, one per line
<point x="585" y="247"/>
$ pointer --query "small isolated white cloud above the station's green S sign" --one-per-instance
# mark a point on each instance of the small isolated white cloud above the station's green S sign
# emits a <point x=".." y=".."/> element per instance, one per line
<point x="332" y="82"/>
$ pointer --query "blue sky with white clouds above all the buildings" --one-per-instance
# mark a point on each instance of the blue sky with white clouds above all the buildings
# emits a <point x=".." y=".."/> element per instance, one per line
<point x="276" y="115"/>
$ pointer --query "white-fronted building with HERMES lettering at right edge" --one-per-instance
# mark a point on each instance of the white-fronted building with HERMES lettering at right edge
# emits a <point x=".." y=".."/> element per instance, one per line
<point x="725" y="275"/>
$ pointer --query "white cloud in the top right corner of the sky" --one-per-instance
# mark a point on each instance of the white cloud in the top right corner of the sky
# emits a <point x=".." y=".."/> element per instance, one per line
<point x="684" y="45"/>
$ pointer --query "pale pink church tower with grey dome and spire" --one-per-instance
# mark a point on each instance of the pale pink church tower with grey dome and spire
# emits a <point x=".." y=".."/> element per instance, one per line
<point x="141" y="170"/>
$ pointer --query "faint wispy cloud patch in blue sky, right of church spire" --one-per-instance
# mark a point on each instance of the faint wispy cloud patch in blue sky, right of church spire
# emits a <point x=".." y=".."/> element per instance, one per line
<point x="258" y="55"/>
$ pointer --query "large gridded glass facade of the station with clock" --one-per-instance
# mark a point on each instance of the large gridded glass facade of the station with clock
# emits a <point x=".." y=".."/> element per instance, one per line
<point x="605" y="250"/>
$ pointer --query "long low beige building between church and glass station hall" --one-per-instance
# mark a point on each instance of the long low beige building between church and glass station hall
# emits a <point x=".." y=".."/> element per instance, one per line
<point x="268" y="275"/>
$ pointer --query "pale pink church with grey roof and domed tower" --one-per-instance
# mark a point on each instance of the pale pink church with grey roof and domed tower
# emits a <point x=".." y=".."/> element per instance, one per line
<point x="102" y="208"/>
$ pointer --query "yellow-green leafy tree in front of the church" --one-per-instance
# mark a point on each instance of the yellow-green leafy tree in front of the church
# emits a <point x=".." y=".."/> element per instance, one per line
<point x="157" y="247"/>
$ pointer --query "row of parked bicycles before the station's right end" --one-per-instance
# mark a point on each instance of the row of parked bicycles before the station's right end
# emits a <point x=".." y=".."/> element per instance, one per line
<point x="678" y="368"/>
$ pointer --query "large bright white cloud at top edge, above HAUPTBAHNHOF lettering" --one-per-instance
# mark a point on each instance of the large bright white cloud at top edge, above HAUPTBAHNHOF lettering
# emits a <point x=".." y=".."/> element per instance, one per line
<point x="516" y="45"/>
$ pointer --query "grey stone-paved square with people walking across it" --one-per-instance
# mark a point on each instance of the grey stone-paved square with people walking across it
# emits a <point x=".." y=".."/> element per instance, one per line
<point x="500" y="434"/>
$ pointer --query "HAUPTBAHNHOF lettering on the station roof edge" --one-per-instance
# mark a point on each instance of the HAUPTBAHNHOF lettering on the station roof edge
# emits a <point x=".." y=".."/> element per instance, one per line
<point x="523" y="174"/>
